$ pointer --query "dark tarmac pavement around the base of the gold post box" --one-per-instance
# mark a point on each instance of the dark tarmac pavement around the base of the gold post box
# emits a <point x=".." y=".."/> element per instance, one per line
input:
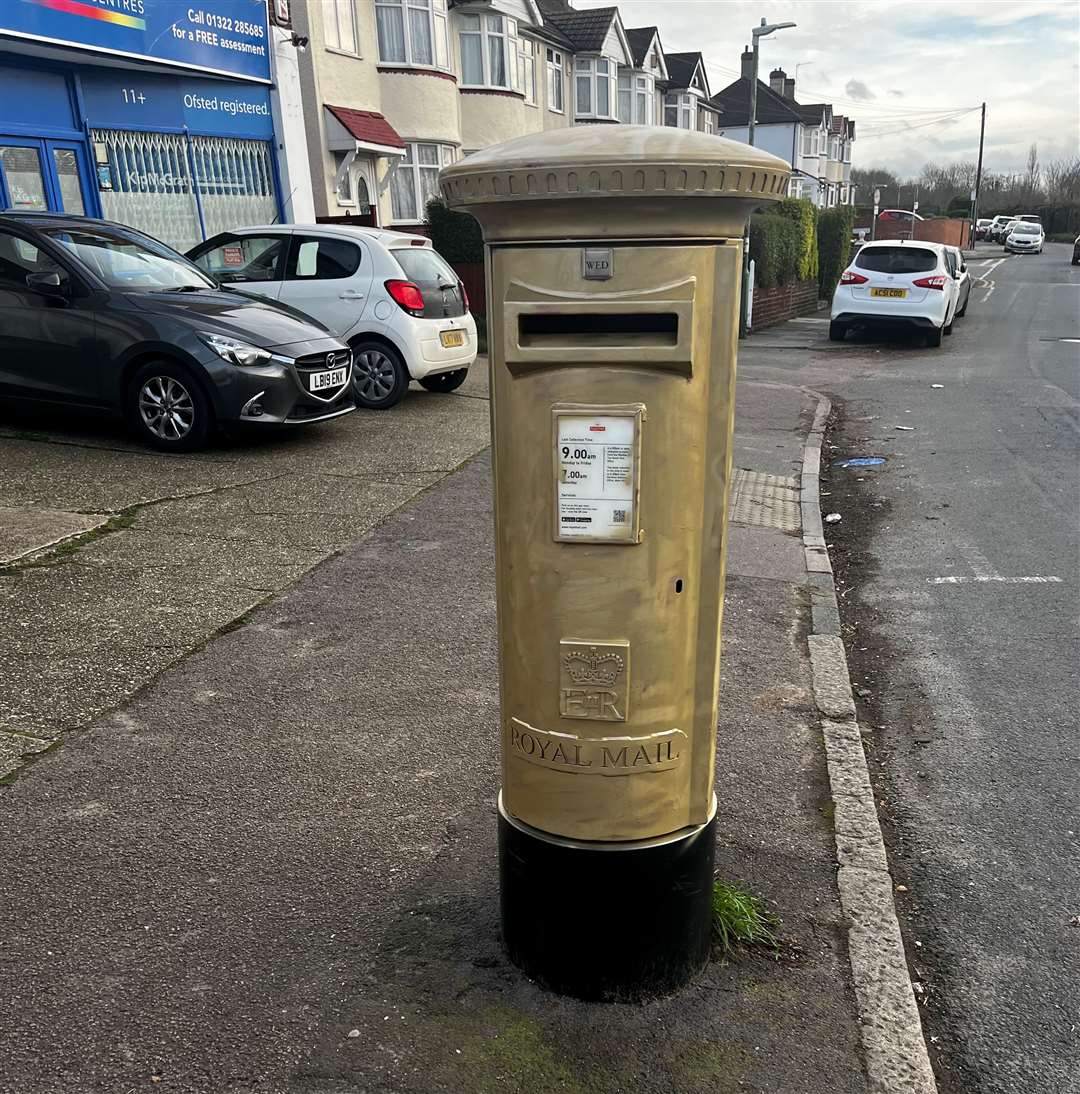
<point x="288" y="837"/>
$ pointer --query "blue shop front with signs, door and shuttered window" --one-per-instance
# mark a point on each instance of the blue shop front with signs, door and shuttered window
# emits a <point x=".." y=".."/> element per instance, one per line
<point x="154" y="113"/>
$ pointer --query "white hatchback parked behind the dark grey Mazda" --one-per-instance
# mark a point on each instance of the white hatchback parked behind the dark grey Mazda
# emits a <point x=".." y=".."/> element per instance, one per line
<point x="389" y="295"/>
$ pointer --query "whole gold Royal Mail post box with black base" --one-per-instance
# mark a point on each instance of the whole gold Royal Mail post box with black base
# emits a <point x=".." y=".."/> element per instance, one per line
<point x="614" y="259"/>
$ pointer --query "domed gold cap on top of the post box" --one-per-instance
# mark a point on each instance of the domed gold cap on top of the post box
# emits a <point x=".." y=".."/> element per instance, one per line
<point x="614" y="161"/>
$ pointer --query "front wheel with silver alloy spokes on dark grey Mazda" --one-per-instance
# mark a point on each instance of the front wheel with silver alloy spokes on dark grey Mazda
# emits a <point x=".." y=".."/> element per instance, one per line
<point x="168" y="408"/>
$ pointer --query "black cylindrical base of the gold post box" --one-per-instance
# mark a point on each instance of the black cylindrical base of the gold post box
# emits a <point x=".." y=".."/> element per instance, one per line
<point x="606" y="923"/>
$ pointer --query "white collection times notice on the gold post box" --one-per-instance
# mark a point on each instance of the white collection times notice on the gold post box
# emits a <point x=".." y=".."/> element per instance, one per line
<point x="597" y="478"/>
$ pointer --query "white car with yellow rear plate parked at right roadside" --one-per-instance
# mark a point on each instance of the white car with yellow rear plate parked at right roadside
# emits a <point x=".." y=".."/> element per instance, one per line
<point x="897" y="283"/>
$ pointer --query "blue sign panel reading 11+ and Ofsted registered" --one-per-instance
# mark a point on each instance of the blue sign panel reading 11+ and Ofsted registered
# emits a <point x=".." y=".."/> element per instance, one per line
<point x="126" y="100"/>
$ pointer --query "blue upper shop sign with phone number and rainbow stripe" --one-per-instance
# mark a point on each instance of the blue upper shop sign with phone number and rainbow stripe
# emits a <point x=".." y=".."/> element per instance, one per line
<point x="223" y="37"/>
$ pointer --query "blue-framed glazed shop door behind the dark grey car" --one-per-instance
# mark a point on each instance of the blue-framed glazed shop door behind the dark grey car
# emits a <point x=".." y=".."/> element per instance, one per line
<point x="44" y="177"/>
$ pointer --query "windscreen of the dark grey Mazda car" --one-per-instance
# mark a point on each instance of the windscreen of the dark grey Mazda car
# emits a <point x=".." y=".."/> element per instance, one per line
<point x="130" y="263"/>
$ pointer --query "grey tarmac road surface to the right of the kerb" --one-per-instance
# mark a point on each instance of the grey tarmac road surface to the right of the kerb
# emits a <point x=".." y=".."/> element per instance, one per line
<point x="958" y="562"/>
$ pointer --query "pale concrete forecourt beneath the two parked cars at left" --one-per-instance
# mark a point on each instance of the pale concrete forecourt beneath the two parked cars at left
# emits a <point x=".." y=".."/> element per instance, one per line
<point x="180" y="548"/>
